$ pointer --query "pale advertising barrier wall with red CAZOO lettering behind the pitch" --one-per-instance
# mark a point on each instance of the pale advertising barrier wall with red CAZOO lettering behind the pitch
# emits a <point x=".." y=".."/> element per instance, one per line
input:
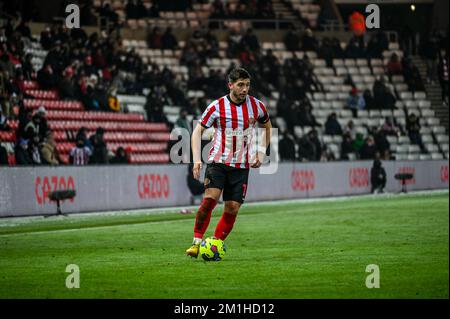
<point x="24" y="190"/>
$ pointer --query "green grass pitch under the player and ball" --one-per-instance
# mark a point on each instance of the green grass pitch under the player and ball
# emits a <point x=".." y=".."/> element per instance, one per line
<point x="294" y="250"/>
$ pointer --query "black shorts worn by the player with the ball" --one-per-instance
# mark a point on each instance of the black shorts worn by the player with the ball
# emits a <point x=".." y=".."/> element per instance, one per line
<point x="233" y="181"/>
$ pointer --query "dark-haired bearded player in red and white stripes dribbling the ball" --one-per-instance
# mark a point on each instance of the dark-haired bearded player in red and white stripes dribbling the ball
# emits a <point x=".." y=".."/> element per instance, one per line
<point x="232" y="153"/>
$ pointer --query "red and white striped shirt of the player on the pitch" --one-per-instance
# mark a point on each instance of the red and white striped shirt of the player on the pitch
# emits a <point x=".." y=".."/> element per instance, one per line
<point x="234" y="136"/>
